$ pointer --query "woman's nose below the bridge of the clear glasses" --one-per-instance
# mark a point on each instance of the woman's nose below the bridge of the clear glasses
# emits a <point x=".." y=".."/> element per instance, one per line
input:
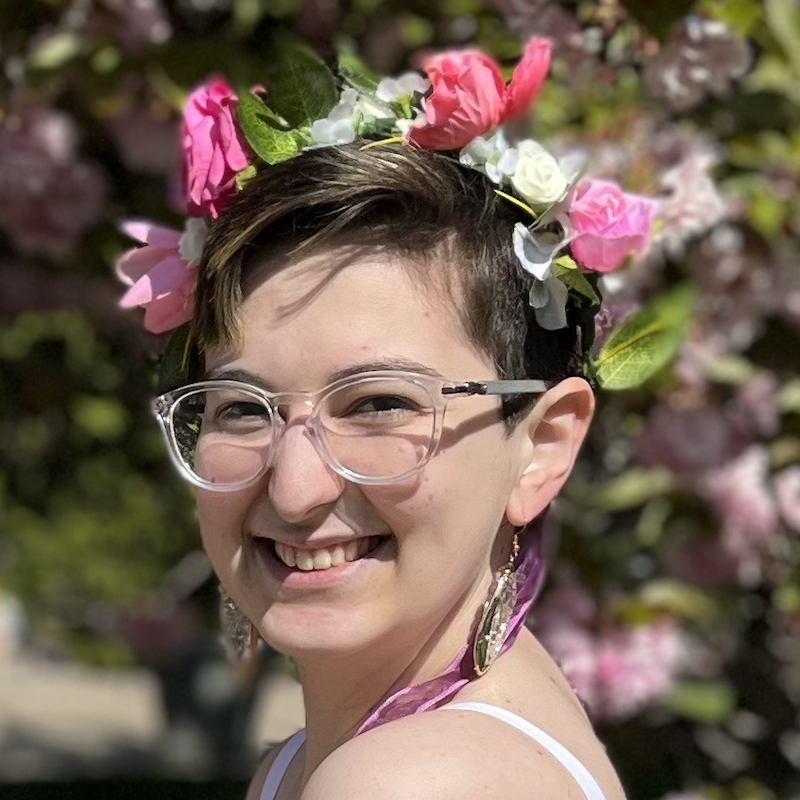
<point x="301" y="484"/>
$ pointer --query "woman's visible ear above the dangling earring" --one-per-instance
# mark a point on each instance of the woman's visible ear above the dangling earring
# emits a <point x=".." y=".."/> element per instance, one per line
<point x="551" y="436"/>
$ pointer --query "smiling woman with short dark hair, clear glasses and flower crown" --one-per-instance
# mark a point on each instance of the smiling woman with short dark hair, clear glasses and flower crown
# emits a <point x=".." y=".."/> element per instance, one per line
<point x="388" y="404"/>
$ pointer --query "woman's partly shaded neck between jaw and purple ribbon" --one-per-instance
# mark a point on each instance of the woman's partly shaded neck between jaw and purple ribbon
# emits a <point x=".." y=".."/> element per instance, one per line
<point x="341" y="692"/>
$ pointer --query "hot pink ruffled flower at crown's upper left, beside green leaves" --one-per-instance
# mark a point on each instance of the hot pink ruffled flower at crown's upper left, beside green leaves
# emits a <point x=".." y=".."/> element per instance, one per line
<point x="214" y="148"/>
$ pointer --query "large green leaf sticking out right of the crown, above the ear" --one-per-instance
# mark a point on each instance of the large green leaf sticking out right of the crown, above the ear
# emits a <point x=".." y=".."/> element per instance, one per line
<point x="646" y="342"/>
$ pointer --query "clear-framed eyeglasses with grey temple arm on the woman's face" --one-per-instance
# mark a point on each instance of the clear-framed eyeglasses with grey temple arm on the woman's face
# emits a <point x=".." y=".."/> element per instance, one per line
<point x="372" y="428"/>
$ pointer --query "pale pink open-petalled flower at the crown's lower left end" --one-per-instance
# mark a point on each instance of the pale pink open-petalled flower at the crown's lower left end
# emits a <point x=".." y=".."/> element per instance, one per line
<point x="160" y="280"/>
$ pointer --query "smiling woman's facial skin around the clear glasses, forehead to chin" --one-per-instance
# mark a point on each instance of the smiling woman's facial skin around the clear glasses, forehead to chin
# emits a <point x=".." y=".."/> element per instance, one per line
<point x="300" y="326"/>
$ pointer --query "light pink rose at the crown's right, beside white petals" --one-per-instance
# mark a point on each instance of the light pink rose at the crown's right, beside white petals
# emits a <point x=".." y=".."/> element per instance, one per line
<point x="609" y="224"/>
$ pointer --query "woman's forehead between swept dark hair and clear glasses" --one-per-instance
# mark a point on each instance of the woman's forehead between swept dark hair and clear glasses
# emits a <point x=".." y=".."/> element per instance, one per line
<point x="305" y="318"/>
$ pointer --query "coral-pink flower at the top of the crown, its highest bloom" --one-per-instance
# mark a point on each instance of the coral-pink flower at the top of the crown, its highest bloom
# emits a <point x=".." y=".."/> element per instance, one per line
<point x="469" y="97"/>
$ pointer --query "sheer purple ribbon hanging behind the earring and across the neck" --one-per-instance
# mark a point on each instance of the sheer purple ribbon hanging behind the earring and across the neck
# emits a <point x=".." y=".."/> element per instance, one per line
<point x="421" y="697"/>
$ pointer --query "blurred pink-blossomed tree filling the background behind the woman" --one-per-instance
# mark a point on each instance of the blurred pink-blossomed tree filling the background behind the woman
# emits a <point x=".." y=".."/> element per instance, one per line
<point x="675" y="601"/>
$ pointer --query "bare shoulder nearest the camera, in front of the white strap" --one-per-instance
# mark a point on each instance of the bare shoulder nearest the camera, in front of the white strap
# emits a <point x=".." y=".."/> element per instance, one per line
<point x="441" y="755"/>
